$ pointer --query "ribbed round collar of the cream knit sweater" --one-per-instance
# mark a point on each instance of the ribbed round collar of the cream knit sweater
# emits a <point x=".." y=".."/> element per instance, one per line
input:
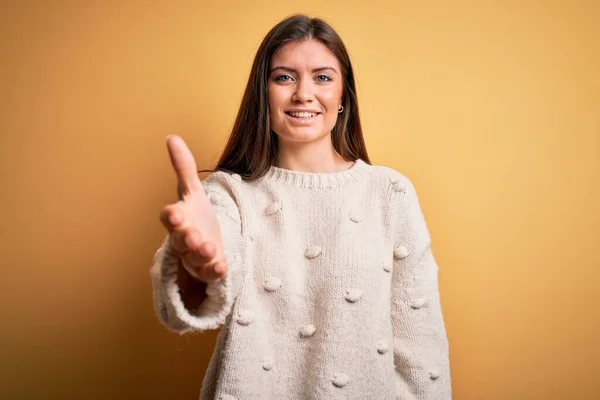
<point x="357" y="172"/>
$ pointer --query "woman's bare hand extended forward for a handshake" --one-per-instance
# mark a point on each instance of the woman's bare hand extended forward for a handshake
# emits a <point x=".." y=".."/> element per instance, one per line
<point x="194" y="232"/>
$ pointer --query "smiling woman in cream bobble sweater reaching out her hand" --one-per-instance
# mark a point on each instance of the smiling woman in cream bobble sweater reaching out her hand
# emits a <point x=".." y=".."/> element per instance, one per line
<point x="316" y="264"/>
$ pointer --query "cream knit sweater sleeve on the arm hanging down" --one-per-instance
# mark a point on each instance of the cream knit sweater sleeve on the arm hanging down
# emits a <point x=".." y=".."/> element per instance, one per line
<point x="421" y="353"/>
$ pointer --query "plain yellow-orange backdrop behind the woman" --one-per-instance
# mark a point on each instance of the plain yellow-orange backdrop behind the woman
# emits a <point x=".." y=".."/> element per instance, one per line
<point x="491" y="108"/>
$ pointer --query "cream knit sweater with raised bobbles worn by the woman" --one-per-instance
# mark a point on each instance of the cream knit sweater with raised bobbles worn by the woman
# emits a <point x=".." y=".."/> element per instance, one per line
<point x="332" y="290"/>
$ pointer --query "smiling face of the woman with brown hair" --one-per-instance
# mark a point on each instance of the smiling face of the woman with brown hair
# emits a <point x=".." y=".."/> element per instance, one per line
<point x="305" y="91"/>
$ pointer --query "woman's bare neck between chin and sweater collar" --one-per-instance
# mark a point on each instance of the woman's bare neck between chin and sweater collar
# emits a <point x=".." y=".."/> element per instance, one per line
<point x="315" y="157"/>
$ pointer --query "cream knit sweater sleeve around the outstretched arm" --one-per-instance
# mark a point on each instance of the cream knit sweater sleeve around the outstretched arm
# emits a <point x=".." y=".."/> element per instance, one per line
<point x="211" y="314"/>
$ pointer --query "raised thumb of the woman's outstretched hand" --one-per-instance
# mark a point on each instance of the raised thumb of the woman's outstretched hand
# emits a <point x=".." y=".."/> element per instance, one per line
<point x="184" y="165"/>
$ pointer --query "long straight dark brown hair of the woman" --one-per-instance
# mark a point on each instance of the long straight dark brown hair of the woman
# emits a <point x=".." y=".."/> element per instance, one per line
<point x="252" y="148"/>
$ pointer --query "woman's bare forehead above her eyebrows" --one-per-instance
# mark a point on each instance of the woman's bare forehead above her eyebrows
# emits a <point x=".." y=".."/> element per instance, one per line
<point x="307" y="53"/>
